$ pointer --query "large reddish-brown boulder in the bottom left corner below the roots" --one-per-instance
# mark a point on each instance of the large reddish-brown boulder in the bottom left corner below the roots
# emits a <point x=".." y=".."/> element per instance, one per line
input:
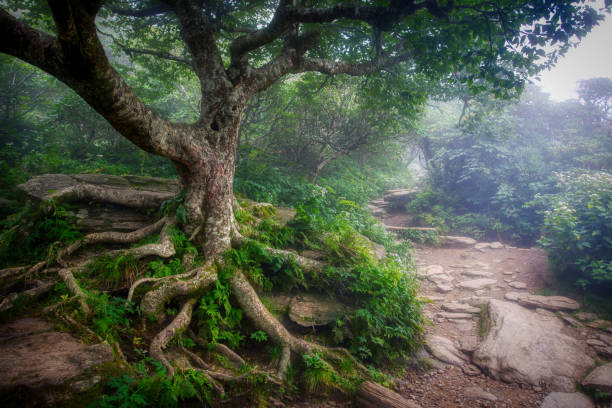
<point x="48" y="365"/>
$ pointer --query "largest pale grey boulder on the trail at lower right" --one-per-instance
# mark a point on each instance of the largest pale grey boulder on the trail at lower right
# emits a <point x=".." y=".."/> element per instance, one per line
<point x="522" y="346"/>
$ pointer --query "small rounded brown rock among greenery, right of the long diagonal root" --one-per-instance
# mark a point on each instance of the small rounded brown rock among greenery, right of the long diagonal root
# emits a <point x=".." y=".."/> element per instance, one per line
<point x="310" y="310"/>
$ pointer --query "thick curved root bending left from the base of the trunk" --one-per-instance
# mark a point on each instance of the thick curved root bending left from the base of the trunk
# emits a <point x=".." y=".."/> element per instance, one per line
<point x="153" y="302"/>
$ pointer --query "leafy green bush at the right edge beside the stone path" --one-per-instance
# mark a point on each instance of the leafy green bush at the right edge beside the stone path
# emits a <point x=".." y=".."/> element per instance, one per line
<point x="578" y="229"/>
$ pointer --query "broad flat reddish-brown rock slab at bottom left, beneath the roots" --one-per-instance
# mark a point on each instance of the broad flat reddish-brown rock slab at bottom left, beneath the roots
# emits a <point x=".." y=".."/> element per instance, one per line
<point x="38" y="360"/>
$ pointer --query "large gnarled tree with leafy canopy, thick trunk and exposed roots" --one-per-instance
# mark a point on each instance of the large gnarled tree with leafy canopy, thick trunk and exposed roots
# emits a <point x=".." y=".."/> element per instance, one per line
<point x="236" y="49"/>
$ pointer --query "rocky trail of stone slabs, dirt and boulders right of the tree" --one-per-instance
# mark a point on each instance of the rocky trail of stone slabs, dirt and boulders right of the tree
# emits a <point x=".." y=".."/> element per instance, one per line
<point x="494" y="342"/>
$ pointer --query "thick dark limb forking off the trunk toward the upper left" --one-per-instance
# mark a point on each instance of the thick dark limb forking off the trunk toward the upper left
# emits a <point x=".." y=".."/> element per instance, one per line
<point x="77" y="58"/>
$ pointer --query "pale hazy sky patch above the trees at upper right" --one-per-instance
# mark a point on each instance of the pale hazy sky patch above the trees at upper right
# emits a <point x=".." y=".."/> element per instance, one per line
<point x="592" y="58"/>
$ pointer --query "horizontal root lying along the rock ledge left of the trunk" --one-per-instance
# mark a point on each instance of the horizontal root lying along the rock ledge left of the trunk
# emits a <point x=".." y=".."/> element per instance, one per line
<point x="126" y="197"/>
